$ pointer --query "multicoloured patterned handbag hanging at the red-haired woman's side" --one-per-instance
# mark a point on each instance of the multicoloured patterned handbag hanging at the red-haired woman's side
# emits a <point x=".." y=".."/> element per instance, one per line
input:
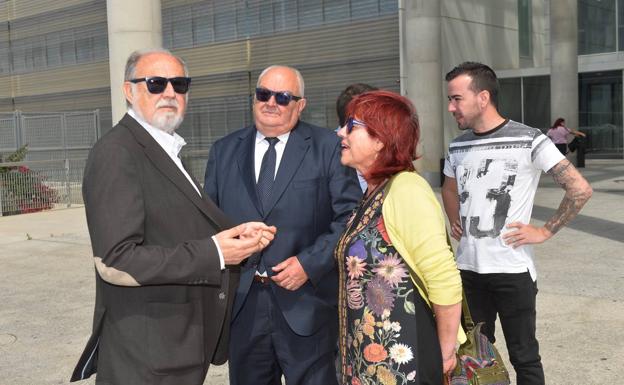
<point x="478" y="360"/>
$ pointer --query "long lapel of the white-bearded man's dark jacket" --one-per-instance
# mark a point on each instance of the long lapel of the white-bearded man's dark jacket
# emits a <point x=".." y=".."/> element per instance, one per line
<point x="167" y="167"/>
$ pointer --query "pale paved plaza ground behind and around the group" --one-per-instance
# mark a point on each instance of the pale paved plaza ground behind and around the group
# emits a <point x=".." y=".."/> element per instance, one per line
<point x="47" y="290"/>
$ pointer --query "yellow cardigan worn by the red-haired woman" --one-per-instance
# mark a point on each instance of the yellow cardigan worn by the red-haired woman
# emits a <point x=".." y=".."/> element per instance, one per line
<point x="415" y="224"/>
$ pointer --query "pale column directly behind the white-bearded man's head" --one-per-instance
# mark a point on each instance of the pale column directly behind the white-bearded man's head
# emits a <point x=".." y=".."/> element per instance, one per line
<point x="132" y="25"/>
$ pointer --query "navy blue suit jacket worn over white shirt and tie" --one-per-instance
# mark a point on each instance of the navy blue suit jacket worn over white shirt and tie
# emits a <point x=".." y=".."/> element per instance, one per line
<point x="312" y="198"/>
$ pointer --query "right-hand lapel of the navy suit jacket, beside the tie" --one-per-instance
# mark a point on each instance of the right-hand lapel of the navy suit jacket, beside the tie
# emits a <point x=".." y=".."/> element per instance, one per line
<point x="296" y="149"/>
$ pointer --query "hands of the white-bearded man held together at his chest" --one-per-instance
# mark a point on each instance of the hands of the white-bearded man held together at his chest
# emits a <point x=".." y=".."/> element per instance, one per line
<point x="239" y="242"/>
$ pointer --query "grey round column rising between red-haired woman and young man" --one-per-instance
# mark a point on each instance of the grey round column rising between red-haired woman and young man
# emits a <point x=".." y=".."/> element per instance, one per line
<point x="422" y="79"/>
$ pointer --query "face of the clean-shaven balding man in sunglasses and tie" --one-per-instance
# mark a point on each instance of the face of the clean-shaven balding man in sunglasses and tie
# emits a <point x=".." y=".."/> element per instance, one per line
<point x="271" y="118"/>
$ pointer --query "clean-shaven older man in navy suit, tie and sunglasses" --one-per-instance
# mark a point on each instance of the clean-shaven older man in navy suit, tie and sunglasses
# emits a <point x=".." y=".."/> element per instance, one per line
<point x="285" y="310"/>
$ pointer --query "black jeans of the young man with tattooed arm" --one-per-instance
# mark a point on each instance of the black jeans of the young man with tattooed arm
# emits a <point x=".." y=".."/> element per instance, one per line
<point x="512" y="296"/>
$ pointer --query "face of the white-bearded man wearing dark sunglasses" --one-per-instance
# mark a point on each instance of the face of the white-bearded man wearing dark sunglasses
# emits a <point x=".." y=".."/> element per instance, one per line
<point x="165" y="110"/>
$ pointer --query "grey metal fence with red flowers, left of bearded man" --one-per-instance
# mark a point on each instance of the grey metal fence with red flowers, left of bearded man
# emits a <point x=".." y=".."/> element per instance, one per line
<point x="51" y="174"/>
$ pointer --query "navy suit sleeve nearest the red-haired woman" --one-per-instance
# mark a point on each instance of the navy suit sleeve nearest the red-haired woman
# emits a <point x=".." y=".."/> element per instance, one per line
<point x="344" y="194"/>
